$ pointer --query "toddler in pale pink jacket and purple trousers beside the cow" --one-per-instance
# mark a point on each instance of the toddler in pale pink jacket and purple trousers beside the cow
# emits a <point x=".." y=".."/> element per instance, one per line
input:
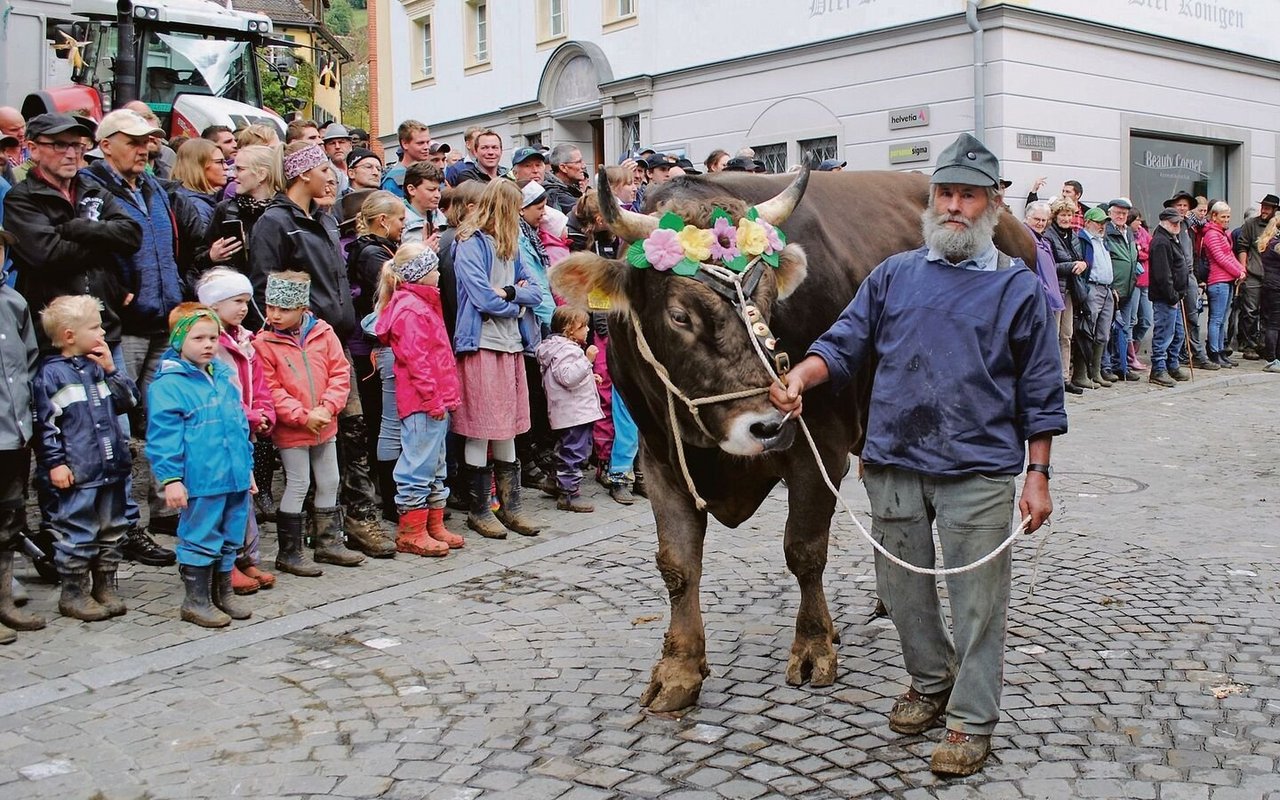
<point x="573" y="403"/>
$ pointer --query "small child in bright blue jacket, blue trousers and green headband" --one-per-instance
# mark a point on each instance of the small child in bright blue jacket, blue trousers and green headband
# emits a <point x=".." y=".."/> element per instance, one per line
<point x="199" y="446"/>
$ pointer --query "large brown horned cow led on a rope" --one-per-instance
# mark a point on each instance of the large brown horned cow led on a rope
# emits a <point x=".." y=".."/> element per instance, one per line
<point x="848" y="225"/>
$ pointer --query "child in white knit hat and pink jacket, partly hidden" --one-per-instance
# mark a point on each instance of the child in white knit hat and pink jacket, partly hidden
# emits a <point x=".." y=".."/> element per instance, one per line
<point x="228" y="294"/>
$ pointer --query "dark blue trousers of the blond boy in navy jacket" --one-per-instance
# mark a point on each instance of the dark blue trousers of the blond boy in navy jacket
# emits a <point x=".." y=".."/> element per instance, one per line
<point x="88" y="524"/>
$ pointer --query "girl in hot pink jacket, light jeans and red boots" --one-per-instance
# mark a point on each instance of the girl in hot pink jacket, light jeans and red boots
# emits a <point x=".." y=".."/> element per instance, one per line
<point x="412" y="323"/>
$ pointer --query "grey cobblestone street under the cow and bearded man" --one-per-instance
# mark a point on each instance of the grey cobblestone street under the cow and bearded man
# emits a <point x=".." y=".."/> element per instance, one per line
<point x="1145" y="665"/>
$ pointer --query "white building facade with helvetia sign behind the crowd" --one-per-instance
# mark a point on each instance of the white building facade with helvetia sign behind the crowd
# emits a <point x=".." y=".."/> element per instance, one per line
<point x="1131" y="98"/>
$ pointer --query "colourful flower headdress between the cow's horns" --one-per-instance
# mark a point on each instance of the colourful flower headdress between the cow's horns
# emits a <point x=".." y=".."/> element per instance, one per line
<point x="683" y="249"/>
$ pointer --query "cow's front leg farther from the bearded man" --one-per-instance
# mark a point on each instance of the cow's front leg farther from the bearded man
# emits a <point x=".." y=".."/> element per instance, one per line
<point x="678" y="678"/>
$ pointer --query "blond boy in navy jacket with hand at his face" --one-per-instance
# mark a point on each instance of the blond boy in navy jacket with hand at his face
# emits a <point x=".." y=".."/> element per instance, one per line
<point x="84" y="455"/>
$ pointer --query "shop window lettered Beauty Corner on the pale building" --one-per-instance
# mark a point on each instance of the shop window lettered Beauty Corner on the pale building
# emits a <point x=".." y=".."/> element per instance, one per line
<point x="1164" y="167"/>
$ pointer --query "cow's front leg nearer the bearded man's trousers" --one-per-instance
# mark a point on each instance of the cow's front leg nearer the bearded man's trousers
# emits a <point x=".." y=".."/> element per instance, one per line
<point x="810" y="508"/>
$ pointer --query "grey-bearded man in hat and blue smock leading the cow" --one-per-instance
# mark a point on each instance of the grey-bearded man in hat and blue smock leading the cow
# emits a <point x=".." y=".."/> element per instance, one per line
<point x="968" y="385"/>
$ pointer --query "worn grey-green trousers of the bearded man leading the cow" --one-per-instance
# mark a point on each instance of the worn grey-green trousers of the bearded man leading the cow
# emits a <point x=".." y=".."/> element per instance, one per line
<point x="973" y="514"/>
